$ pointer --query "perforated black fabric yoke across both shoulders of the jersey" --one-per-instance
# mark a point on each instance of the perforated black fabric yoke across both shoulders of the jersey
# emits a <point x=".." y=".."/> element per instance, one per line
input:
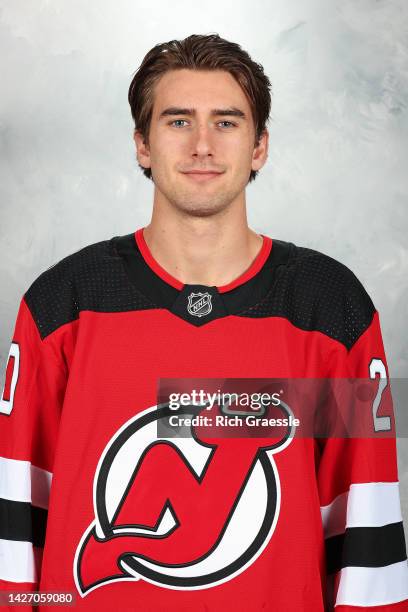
<point x="312" y="290"/>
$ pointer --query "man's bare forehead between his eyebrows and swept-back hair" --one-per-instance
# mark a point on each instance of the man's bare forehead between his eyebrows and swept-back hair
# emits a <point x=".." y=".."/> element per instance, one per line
<point x="199" y="89"/>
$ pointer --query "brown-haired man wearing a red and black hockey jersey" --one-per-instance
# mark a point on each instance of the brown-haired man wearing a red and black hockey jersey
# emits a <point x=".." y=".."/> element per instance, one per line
<point x="138" y="519"/>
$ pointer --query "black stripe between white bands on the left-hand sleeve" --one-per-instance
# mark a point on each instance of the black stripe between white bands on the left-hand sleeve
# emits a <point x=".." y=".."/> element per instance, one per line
<point x="20" y="521"/>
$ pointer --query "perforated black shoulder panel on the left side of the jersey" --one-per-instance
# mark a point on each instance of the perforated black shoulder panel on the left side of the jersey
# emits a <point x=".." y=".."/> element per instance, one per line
<point x="93" y="278"/>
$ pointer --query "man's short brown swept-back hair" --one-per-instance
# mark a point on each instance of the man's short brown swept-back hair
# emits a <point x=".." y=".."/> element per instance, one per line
<point x="199" y="52"/>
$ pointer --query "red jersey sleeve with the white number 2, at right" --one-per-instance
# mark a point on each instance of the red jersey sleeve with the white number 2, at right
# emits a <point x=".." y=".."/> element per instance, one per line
<point x="359" y="496"/>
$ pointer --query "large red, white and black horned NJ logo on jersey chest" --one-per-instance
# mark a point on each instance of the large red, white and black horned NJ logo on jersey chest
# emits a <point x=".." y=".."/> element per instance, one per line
<point x="181" y="513"/>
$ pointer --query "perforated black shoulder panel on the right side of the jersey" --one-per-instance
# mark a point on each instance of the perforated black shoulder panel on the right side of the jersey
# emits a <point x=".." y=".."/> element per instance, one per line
<point x="316" y="292"/>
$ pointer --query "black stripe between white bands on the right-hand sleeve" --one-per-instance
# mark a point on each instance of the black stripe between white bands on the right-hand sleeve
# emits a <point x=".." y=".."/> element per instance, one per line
<point x="366" y="547"/>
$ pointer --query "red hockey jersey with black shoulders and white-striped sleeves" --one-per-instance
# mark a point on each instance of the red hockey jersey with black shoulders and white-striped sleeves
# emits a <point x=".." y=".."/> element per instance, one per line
<point x="94" y="502"/>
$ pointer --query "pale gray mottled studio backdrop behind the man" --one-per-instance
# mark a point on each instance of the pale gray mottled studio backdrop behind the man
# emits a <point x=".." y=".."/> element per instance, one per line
<point x="336" y="178"/>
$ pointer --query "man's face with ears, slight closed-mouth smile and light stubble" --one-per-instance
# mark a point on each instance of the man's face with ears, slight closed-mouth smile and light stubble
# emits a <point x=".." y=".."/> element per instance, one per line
<point x="201" y="121"/>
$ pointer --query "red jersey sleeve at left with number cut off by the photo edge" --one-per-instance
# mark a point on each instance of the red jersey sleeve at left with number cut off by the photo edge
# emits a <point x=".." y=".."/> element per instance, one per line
<point x="30" y="408"/>
